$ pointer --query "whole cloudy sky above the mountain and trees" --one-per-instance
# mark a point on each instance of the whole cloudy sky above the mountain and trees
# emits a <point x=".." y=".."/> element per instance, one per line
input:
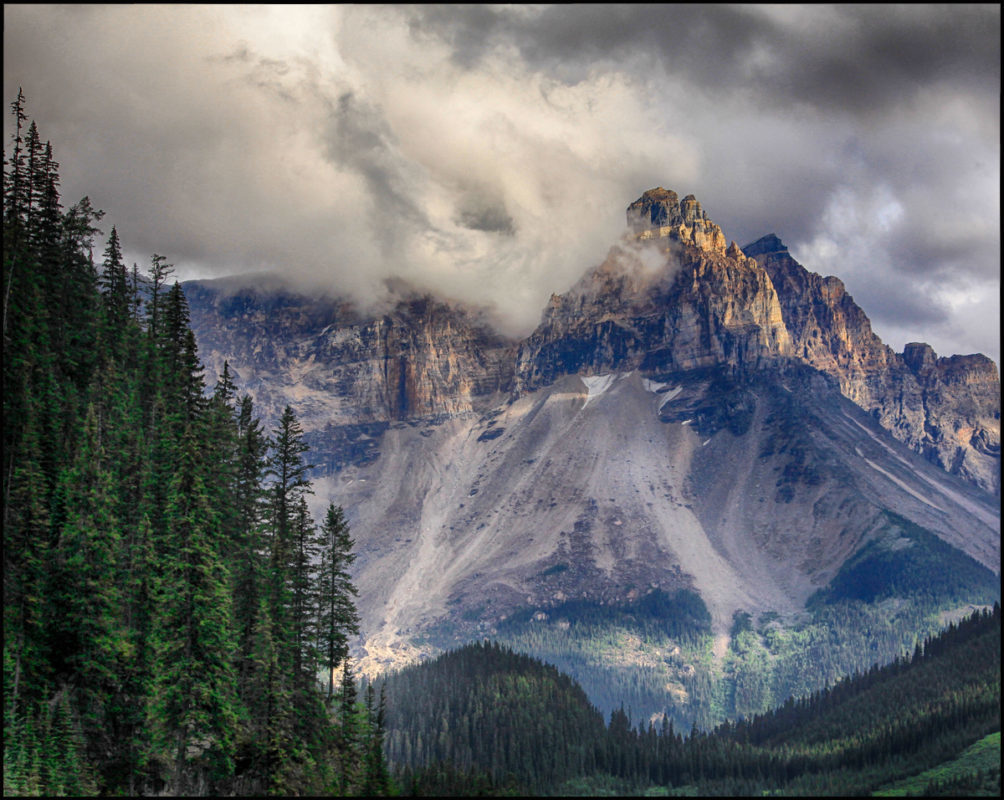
<point x="490" y="152"/>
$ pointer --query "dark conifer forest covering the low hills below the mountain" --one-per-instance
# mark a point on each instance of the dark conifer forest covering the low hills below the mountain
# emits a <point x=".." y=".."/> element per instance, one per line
<point x="486" y="720"/>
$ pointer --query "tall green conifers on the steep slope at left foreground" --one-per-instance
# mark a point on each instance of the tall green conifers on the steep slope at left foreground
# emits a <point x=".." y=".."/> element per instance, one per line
<point x="175" y="621"/>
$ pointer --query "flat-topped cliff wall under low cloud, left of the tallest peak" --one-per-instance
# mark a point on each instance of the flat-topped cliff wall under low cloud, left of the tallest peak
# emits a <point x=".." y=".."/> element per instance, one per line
<point x="420" y="359"/>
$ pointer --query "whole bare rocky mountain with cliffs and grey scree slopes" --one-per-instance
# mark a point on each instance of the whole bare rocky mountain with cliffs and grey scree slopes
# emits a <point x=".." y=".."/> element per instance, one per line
<point x="690" y="417"/>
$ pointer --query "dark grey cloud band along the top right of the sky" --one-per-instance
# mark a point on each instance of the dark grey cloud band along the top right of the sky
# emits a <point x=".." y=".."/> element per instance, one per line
<point x="855" y="59"/>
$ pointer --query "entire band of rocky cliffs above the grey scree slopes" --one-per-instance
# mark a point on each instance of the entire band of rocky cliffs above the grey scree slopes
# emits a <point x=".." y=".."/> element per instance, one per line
<point x="670" y="298"/>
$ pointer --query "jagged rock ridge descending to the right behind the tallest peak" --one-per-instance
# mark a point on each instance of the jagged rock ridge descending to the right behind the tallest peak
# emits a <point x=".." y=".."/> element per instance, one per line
<point x="946" y="409"/>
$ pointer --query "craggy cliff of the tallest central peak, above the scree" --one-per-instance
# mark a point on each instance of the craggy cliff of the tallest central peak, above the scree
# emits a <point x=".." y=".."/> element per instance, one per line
<point x="671" y="298"/>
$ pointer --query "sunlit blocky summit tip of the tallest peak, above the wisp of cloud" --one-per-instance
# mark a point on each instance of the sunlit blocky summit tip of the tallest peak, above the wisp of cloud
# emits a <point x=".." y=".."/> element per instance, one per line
<point x="660" y="214"/>
